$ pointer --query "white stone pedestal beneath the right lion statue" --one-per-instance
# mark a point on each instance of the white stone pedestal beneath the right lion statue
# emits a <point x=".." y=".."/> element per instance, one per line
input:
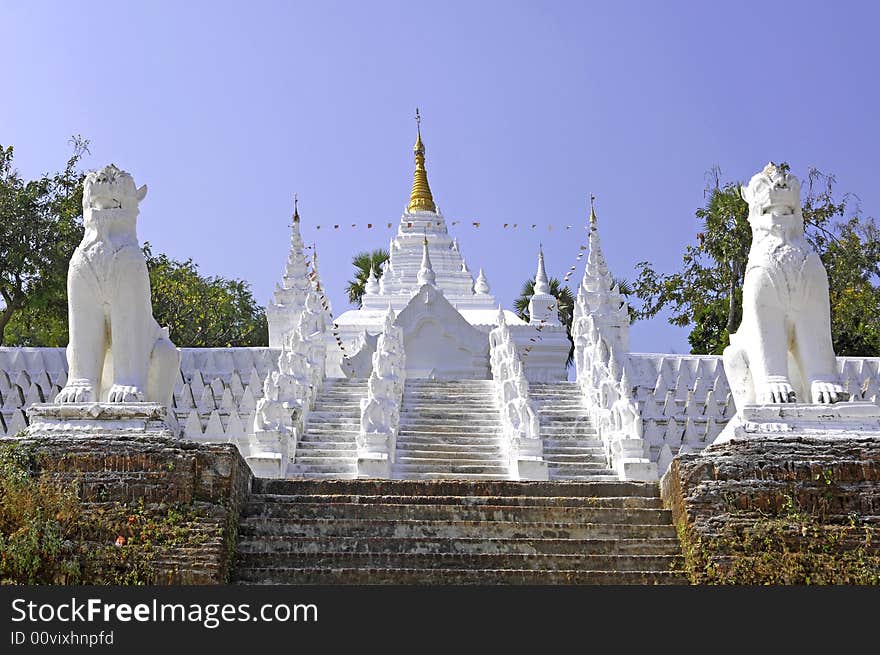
<point x="837" y="421"/>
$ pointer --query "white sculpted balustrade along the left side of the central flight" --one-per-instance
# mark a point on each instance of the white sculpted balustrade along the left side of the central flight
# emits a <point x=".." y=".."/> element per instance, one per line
<point x="380" y="410"/>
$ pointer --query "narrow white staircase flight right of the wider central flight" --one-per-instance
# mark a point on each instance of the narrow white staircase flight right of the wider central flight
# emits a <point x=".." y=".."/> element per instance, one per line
<point x="572" y="448"/>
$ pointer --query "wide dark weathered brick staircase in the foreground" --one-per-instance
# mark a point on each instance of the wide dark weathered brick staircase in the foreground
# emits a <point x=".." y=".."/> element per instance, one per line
<point x="456" y="532"/>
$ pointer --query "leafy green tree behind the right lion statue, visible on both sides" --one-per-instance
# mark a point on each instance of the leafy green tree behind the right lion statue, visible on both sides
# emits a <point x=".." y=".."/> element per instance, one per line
<point x="706" y="292"/>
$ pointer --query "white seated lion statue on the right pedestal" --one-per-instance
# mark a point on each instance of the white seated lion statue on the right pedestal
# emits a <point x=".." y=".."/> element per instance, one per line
<point x="782" y="351"/>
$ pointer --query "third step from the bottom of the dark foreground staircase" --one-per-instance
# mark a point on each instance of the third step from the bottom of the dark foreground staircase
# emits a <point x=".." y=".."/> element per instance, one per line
<point x="469" y="545"/>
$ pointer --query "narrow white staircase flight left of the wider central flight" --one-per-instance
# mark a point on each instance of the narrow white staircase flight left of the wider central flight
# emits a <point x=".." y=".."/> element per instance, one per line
<point x="328" y="447"/>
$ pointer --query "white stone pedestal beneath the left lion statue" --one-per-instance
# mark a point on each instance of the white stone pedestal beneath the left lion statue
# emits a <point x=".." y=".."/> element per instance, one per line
<point x="89" y="419"/>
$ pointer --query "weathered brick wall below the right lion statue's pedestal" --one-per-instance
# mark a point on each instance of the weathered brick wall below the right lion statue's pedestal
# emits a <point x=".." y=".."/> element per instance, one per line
<point x="795" y="510"/>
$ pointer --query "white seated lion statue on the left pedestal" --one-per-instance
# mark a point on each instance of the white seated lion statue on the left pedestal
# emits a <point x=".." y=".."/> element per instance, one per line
<point x="117" y="352"/>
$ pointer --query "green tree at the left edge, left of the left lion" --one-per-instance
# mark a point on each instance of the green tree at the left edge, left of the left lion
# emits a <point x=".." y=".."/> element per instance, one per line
<point x="40" y="226"/>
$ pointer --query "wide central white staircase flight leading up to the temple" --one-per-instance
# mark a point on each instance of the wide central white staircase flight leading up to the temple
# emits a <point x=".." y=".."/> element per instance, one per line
<point x="449" y="429"/>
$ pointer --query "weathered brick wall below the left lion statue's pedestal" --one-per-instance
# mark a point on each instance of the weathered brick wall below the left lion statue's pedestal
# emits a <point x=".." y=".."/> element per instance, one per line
<point x="126" y="481"/>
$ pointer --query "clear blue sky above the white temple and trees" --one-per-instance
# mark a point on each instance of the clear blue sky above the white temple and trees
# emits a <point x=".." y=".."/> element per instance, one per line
<point x="226" y="108"/>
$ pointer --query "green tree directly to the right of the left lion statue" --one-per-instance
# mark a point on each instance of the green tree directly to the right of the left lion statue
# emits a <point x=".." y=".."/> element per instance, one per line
<point x="202" y="311"/>
